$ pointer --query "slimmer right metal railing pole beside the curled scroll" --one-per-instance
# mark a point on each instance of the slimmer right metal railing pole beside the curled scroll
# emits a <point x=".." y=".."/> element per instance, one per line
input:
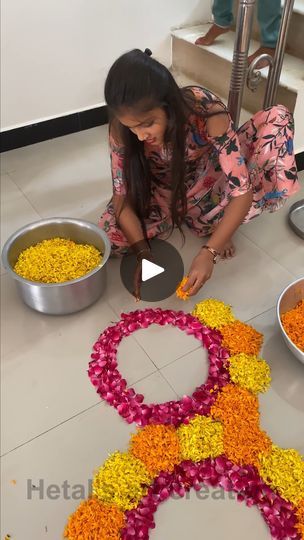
<point x="274" y="76"/>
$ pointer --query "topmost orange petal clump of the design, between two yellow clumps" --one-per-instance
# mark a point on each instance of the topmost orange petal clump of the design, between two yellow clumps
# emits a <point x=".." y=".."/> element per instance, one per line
<point x="239" y="337"/>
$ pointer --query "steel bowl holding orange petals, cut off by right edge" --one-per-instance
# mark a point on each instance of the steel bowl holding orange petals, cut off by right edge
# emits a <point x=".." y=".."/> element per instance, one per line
<point x="288" y="300"/>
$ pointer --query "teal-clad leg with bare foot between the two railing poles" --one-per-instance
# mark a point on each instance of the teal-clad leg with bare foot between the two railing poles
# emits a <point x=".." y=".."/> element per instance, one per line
<point x="269" y="19"/>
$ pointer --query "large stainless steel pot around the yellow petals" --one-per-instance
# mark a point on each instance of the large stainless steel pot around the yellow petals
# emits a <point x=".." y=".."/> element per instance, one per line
<point x="59" y="298"/>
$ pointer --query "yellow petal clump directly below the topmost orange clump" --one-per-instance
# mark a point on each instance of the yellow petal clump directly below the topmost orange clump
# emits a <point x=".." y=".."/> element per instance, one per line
<point x="249" y="372"/>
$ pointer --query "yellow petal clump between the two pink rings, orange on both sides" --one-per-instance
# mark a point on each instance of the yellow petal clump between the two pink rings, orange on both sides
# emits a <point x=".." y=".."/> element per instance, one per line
<point x="201" y="438"/>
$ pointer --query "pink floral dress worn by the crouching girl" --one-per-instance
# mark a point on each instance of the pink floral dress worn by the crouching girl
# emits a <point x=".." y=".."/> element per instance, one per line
<point x="258" y="156"/>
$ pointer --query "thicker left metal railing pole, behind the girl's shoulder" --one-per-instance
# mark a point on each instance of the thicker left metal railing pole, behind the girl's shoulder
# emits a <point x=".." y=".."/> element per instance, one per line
<point x="240" y="58"/>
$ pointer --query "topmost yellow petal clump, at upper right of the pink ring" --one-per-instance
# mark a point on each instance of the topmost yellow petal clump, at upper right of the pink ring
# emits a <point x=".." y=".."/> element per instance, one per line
<point x="213" y="313"/>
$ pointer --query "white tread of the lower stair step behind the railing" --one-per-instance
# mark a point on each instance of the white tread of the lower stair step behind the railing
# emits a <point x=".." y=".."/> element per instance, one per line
<point x="293" y="68"/>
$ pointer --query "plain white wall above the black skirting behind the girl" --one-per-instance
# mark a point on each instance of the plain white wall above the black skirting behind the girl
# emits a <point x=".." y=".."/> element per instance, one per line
<point x="56" y="53"/>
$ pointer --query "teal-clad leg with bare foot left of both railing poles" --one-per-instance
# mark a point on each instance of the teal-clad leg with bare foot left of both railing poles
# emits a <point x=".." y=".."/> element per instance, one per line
<point x="223" y="18"/>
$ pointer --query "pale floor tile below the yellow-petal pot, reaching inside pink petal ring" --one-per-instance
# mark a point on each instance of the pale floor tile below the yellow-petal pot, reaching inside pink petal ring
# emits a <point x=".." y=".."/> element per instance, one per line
<point x="44" y="366"/>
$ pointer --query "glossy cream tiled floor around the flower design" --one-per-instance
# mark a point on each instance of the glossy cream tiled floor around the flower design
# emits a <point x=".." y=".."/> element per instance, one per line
<point x="54" y="428"/>
